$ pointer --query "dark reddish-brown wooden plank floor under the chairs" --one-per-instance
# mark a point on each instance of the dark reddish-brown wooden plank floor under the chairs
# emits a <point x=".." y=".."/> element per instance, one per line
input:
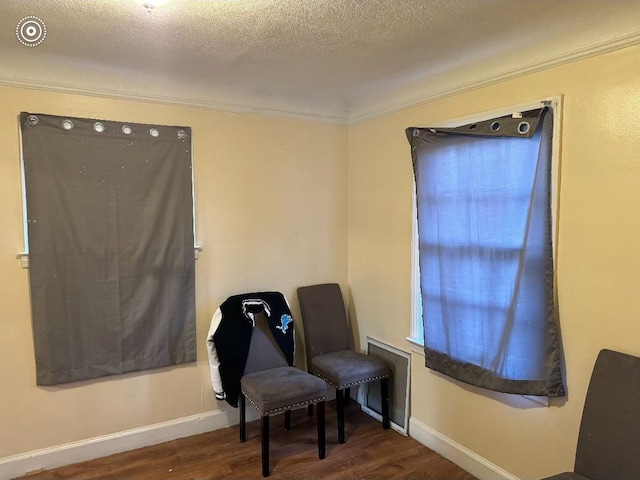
<point x="369" y="453"/>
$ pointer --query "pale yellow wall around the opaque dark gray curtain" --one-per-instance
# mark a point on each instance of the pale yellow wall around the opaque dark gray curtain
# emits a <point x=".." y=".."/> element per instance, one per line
<point x="271" y="201"/>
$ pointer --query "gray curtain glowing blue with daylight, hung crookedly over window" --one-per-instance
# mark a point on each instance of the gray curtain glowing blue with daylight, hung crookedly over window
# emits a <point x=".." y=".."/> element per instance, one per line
<point x="486" y="257"/>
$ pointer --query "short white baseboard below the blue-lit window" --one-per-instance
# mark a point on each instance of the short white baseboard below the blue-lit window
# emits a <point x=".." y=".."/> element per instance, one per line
<point x="451" y="450"/>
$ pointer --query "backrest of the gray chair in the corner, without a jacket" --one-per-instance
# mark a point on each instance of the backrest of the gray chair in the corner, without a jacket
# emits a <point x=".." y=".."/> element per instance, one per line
<point x="324" y="319"/>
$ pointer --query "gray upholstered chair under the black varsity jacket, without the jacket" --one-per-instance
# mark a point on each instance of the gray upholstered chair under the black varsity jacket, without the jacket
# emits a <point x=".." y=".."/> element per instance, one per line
<point x="273" y="386"/>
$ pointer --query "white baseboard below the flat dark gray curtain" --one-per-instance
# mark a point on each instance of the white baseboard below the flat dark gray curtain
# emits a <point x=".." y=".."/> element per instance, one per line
<point x="66" y="454"/>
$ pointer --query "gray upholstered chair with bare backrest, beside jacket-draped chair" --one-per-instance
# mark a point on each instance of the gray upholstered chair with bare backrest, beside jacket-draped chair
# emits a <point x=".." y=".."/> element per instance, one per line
<point x="329" y="353"/>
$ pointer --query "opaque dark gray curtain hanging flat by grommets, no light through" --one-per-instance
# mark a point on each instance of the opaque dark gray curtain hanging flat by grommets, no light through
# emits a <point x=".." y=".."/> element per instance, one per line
<point x="111" y="247"/>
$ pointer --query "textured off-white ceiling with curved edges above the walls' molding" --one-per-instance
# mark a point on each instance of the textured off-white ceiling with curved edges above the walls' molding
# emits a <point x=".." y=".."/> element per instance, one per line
<point x="341" y="60"/>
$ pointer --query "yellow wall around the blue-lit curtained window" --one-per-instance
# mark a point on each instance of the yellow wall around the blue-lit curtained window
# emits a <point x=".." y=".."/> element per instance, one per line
<point x="598" y="261"/>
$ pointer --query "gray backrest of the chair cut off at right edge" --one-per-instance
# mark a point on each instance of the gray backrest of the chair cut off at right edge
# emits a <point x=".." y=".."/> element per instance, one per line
<point x="609" y="439"/>
